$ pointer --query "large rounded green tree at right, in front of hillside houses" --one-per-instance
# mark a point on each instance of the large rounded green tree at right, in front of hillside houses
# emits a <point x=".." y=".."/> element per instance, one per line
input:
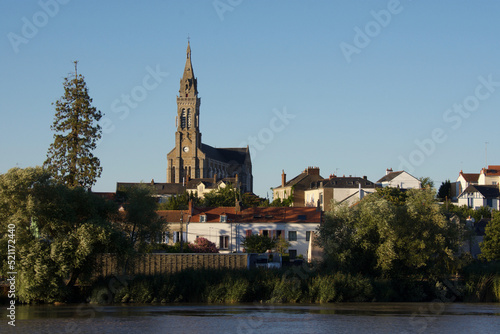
<point x="397" y="236"/>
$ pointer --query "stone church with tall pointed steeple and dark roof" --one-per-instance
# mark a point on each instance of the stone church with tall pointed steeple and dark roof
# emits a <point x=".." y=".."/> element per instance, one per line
<point x="191" y="163"/>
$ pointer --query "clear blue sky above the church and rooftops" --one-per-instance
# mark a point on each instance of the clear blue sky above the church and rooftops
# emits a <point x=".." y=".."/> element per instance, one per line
<point x="366" y="85"/>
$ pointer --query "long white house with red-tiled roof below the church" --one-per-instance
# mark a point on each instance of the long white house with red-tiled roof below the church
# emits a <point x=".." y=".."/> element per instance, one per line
<point x="227" y="226"/>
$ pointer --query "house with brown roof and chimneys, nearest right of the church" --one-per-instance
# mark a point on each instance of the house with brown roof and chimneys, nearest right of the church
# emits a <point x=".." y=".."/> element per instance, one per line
<point x="297" y="186"/>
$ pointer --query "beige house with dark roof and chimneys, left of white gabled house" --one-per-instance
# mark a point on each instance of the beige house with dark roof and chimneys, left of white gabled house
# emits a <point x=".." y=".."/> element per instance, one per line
<point x="340" y="189"/>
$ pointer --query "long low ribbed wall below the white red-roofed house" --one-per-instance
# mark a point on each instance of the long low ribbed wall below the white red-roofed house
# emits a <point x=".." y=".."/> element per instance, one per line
<point x="153" y="264"/>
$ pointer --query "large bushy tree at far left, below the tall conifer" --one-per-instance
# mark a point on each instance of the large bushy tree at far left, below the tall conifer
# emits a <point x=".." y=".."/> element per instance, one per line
<point x="59" y="231"/>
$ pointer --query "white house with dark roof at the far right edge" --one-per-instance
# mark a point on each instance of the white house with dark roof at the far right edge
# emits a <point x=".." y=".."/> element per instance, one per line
<point x="476" y="196"/>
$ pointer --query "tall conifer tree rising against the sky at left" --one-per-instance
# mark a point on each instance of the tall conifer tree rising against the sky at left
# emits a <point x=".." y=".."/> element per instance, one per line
<point x="77" y="131"/>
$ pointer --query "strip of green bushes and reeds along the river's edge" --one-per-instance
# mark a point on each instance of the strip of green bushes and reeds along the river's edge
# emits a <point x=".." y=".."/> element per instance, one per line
<point x="292" y="285"/>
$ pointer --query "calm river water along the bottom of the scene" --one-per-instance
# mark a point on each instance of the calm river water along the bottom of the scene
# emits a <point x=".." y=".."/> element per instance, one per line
<point x="364" y="318"/>
